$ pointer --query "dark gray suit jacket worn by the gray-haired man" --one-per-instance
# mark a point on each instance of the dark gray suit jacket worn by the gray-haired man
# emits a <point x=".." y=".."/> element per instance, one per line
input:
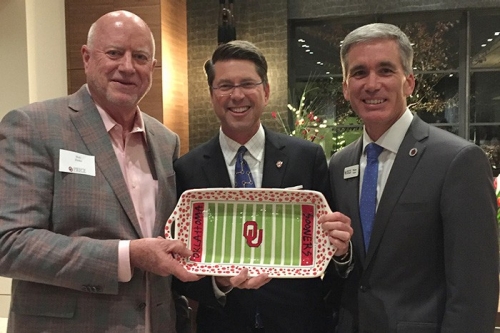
<point x="432" y="263"/>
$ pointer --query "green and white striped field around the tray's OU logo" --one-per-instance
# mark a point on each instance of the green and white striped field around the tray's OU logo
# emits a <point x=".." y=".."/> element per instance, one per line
<point x="281" y="225"/>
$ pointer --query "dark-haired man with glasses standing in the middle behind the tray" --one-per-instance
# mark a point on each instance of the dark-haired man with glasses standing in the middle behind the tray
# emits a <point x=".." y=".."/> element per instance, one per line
<point x="239" y="89"/>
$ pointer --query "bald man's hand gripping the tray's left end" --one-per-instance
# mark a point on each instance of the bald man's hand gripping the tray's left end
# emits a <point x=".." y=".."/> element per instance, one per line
<point x="156" y="255"/>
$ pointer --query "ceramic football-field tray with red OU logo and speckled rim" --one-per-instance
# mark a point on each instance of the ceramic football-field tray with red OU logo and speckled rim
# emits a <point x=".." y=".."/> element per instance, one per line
<point x="272" y="231"/>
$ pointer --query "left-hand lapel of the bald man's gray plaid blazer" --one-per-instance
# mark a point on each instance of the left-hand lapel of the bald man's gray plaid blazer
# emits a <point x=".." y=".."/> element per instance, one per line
<point x="89" y="125"/>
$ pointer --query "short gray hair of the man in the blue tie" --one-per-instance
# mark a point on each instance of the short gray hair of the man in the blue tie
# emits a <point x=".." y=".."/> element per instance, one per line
<point x="373" y="31"/>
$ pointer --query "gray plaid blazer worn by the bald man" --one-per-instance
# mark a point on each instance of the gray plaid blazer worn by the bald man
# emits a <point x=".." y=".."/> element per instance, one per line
<point x="59" y="232"/>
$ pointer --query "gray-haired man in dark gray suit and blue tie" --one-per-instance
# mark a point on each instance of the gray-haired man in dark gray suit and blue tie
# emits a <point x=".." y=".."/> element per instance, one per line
<point x="431" y="262"/>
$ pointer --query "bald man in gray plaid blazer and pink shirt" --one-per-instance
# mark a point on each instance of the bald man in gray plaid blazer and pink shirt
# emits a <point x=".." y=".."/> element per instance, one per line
<point x="86" y="185"/>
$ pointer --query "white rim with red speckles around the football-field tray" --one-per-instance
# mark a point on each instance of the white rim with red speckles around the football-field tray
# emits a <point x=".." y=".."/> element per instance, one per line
<point x="323" y="250"/>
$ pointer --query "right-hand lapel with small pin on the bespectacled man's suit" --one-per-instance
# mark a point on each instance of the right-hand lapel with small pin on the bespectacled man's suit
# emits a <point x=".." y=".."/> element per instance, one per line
<point x="275" y="161"/>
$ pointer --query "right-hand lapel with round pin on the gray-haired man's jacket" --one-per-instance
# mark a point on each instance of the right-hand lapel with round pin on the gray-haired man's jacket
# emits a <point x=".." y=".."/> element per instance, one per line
<point x="407" y="158"/>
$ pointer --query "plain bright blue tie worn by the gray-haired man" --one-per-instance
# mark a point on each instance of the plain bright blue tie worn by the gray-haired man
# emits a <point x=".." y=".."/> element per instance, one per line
<point x="368" y="201"/>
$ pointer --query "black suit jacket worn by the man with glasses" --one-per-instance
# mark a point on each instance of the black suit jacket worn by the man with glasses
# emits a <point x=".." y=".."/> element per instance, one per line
<point x="285" y="305"/>
